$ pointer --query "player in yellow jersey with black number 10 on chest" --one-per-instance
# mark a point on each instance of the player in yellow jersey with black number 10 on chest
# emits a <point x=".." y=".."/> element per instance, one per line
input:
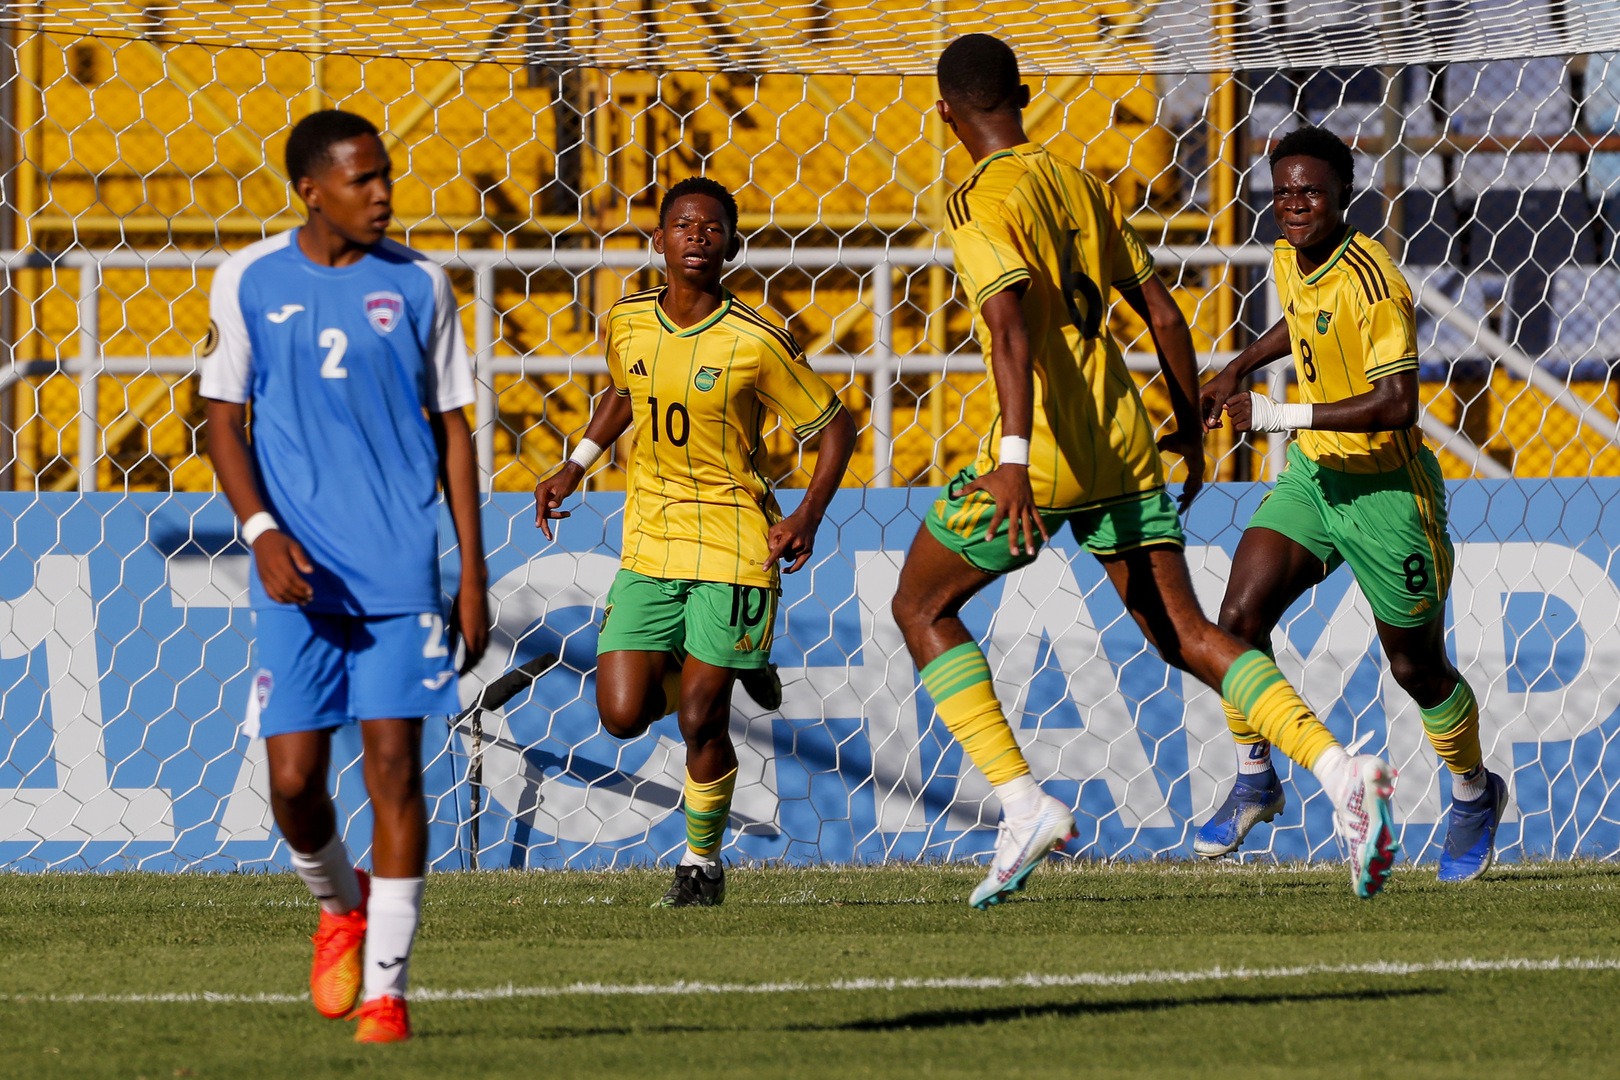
<point x="694" y="608"/>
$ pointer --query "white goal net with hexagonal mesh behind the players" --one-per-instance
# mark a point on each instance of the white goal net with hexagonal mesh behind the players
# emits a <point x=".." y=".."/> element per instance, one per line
<point x="532" y="142"/>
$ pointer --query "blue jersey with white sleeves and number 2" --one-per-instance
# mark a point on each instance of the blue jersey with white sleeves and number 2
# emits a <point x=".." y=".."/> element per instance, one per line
<point x="343" y="367"/>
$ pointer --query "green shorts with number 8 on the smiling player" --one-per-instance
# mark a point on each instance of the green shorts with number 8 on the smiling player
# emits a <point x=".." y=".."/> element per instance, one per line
<point x="1389" y="527"/>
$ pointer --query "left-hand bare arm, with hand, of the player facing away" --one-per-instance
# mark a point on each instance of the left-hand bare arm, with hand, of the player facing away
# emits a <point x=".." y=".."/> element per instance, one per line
<point x="1015" y="375"/>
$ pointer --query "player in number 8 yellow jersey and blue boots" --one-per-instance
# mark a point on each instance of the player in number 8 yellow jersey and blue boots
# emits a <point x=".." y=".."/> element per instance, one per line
<point x="1360" y="488"/>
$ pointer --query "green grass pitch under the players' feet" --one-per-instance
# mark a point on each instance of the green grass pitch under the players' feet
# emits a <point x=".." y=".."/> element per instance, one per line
<point x="816" y="935"/>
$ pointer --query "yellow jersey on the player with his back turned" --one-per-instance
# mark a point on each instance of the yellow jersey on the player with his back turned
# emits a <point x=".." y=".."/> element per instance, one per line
<point x="1028" y="219"/>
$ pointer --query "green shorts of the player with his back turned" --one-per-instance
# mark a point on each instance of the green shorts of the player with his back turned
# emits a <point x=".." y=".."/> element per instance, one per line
<point x="1112" y="529"/>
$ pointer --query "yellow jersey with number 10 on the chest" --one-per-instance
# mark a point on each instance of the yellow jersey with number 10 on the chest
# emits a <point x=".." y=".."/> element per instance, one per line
<point x="699" y="508"/>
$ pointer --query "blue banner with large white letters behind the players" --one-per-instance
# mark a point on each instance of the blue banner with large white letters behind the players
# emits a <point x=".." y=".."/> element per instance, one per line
<point x="126" y="671"/>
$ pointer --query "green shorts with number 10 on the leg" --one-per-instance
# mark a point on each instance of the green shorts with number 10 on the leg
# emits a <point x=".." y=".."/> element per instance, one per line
<point x="727" y="626"/>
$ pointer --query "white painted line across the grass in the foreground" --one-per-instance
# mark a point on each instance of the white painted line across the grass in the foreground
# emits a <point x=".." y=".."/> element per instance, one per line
<point x="855" y="985"/>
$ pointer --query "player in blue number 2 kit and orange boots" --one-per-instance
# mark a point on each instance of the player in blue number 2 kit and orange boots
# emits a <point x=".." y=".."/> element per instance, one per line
<point x="349" y="349"/>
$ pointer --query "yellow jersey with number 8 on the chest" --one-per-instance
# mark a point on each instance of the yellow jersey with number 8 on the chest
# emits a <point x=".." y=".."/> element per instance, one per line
<point x="1349" y="325"/>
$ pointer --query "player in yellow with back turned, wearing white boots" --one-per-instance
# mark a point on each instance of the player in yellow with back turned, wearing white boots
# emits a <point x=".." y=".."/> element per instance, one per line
<point x="1039" y="244"/>
